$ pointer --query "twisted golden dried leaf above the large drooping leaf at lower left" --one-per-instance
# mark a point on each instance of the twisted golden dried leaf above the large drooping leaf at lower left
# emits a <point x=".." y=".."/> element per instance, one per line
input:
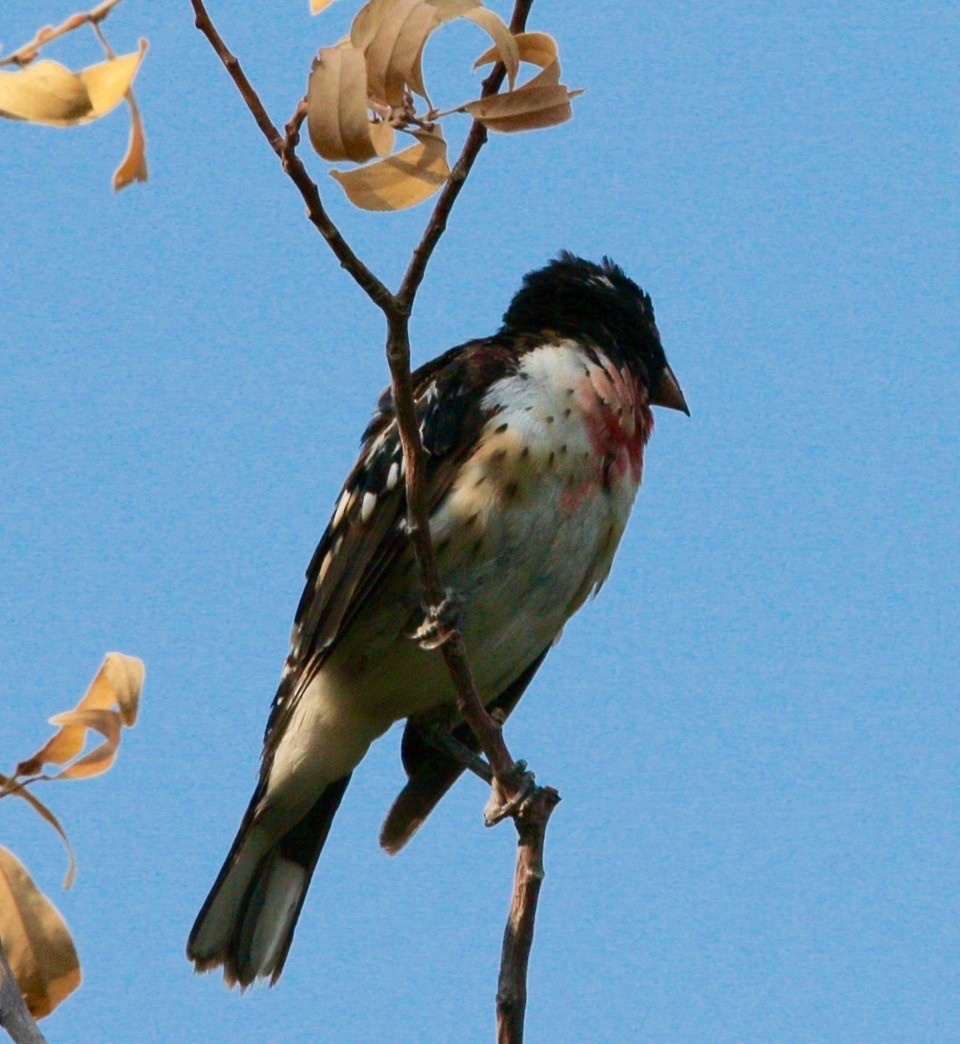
<point x="117" y="683"/>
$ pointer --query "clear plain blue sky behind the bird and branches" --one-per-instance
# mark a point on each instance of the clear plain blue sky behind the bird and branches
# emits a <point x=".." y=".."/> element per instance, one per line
<point x="755" y="728"/>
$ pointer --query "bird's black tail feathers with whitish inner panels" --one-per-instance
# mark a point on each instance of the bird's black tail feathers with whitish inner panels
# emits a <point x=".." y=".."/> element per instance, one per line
<point x="247" y="923"/>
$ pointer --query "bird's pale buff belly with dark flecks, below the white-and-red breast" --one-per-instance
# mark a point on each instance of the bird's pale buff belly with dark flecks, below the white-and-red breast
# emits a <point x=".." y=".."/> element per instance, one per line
<point x="522" y="550"/>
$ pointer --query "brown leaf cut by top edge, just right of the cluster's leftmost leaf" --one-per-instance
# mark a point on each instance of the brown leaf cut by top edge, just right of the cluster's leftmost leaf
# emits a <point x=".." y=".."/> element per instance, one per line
<point x="394" y="55"/>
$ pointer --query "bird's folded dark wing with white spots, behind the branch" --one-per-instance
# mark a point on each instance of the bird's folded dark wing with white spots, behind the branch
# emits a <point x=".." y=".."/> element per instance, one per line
<point x="368" y="532"/>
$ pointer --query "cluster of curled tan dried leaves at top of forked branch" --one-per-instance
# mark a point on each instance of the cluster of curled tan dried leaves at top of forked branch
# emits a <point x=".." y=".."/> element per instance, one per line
<point x="364" y="90"/>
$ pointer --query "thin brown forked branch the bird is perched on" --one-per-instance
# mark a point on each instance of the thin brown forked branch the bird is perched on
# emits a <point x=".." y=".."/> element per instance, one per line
<point x="514" y="794"/>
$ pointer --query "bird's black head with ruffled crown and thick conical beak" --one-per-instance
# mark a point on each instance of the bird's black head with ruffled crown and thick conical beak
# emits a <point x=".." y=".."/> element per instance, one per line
<point x="601" y="304"/>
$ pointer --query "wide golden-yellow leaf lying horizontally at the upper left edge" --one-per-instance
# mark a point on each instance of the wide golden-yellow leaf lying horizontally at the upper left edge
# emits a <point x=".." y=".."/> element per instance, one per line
<point x="47" y="92"/>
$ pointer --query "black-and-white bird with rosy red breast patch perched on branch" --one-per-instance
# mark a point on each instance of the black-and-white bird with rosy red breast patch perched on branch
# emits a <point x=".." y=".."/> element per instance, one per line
<point x="535" y="445"/>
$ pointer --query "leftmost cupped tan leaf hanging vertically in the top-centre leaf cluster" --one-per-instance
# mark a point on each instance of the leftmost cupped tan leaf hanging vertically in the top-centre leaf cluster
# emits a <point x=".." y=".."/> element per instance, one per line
<point x="338" y="116"/>
